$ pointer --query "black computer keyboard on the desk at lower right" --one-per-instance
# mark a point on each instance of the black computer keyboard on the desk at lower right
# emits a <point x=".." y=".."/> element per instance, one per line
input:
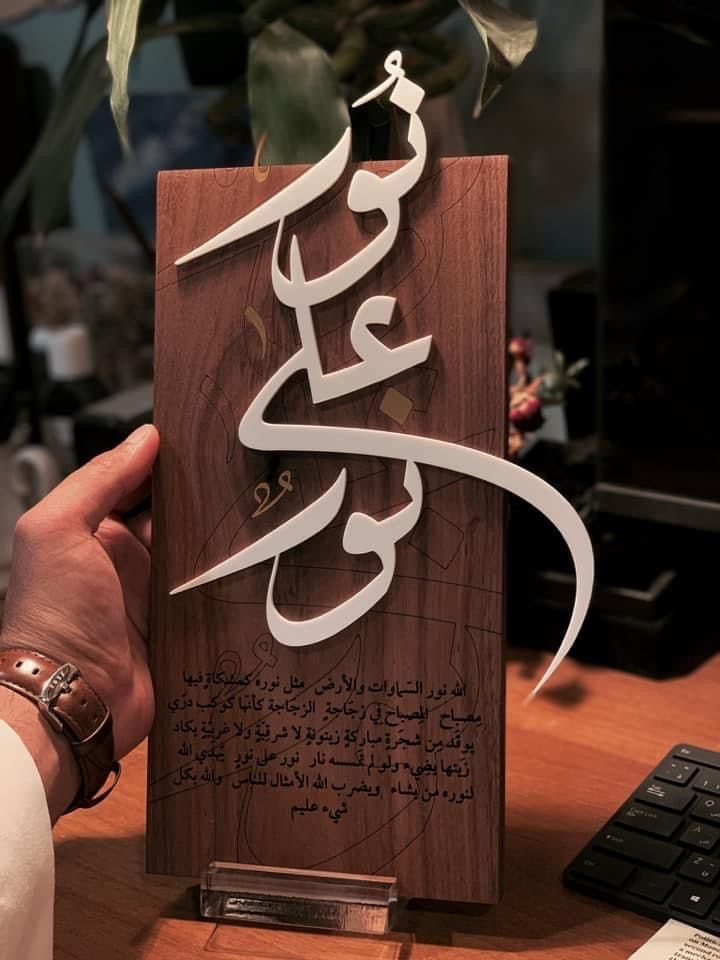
<point x="659" y="854"/>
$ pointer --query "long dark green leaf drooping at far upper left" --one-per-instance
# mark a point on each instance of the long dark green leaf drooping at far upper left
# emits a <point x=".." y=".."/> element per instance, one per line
<point x="47" y="172"/>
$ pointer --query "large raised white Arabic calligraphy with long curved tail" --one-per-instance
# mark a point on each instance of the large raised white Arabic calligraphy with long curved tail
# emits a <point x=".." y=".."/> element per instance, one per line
<point x="363" y="534"/>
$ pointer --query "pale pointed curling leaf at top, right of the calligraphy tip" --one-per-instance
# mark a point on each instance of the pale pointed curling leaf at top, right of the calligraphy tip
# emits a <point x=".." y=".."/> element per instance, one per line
<point x="507" y="37"/>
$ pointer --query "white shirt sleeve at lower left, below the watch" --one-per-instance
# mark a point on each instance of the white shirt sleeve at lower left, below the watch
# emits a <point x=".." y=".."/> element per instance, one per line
<point x="27" y="862"/>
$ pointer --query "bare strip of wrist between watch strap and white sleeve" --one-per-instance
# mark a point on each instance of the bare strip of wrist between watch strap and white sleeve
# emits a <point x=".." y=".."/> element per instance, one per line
<point x="50" y="751"/>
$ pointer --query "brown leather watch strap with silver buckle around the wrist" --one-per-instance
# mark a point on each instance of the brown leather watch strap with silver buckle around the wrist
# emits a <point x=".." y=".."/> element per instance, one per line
<point x="71" y="707"/>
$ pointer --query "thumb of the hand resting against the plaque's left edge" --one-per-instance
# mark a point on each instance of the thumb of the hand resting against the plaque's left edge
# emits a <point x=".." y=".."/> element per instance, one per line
<point x="89" y="494"/>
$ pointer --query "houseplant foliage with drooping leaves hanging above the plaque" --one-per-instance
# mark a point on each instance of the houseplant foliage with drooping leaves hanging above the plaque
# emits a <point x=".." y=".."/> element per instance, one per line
<point x="297" y="68"/>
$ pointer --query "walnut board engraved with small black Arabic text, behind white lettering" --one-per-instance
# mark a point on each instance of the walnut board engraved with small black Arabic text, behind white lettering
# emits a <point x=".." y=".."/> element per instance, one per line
<point x="379" y="750"/>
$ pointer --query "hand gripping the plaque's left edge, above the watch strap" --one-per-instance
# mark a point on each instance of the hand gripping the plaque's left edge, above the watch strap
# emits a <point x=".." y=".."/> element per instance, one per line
<point x="78" y="587"/>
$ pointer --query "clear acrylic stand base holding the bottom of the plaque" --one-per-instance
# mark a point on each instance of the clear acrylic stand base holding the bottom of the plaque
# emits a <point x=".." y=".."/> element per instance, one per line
<point x="298" y="898"/>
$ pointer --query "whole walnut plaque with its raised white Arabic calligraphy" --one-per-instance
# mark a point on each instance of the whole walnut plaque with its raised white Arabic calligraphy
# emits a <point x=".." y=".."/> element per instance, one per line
<point x="328" y="519"/>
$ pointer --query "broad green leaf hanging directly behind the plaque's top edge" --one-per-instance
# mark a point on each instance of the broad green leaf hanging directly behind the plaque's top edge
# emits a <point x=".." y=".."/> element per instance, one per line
<point x="294" y="96"/>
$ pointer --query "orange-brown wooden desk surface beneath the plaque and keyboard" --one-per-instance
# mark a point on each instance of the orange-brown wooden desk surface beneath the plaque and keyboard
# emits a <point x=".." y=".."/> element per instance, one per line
<point x="572" y="757"/>
